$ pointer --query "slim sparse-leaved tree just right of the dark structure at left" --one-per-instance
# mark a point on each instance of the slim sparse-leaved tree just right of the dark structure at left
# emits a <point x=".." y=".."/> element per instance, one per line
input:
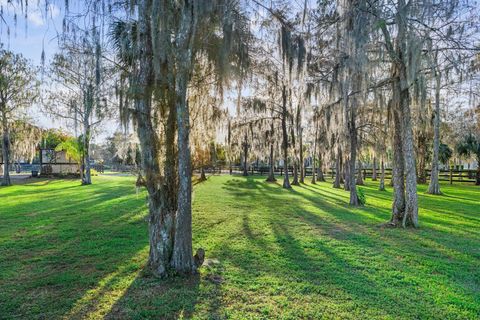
<point x="80" y="90"/>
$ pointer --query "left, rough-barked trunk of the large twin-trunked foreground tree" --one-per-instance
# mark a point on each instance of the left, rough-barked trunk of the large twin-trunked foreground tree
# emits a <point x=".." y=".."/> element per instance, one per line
<point x="160" y="196"/>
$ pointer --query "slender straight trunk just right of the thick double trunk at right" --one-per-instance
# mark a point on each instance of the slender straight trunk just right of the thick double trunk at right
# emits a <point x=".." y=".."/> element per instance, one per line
<point x="434" y="186"/>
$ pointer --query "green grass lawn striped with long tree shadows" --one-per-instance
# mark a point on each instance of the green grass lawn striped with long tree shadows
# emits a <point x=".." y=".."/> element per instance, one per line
<point x="74" y="252"/>
